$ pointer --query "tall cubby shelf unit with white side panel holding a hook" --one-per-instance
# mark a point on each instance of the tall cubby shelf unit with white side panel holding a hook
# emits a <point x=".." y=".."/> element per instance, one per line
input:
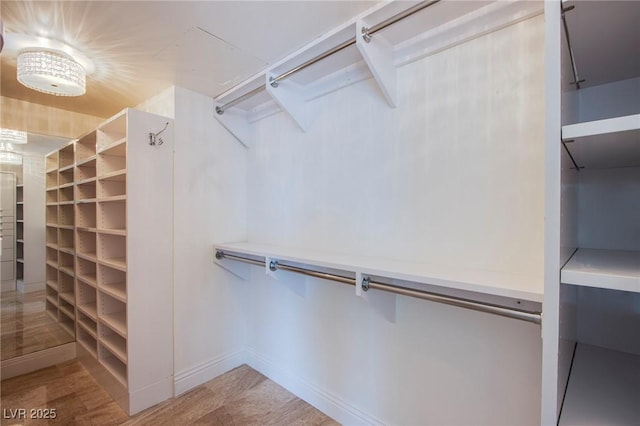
<point x="121" y="248"/>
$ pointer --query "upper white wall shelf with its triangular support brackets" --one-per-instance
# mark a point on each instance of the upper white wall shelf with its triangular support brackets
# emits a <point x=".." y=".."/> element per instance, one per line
<point x="438" y="27"/>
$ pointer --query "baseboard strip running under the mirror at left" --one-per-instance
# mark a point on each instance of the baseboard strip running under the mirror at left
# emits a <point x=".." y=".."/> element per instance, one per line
<point x="35" y="361"/>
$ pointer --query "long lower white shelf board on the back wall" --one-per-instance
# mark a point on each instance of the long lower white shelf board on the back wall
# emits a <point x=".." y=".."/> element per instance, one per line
<point x="476" y="280"/>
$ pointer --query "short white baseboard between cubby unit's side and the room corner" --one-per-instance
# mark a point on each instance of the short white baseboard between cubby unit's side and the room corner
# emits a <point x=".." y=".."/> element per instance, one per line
<point x="189" y="379"/>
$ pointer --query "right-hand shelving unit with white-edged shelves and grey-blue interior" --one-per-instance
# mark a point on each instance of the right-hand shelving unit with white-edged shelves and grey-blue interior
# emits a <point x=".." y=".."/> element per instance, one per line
<point x="600" y="283"/>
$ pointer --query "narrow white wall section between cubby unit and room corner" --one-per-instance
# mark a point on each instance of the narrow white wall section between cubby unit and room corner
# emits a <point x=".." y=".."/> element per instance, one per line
<point x="210" y="205"/>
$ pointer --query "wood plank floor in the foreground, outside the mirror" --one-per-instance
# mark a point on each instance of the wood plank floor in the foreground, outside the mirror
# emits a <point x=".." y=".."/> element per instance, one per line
<point x="240" y="397"/>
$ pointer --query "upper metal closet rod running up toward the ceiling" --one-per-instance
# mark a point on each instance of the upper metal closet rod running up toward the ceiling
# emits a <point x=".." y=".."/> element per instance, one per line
<point x="367" y="33"/>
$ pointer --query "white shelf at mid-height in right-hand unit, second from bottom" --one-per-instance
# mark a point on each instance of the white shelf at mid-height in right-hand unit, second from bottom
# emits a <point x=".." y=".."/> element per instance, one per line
<point x="612" y="269"/>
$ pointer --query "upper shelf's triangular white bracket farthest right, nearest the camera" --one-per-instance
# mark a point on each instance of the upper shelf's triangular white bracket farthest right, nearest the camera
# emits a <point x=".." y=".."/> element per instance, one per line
<point x="378" y="55"/>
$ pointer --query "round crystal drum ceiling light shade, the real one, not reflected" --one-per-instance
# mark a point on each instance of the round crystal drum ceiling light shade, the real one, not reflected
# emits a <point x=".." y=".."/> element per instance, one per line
<point x="51" y="72"/>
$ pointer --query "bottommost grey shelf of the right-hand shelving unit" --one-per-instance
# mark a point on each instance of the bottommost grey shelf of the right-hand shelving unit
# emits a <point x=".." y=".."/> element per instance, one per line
<point x="603" y="389"/>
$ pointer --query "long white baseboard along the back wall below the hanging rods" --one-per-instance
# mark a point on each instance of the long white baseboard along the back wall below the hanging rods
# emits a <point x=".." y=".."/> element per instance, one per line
<point x="332" y="405"/>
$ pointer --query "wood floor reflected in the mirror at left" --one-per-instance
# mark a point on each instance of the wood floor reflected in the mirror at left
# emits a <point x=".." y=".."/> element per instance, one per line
<point x="25" y="327"/>
